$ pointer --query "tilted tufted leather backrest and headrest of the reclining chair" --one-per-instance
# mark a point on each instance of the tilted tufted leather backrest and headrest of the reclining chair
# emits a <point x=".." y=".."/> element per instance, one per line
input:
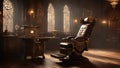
<point x="86" y="28"/>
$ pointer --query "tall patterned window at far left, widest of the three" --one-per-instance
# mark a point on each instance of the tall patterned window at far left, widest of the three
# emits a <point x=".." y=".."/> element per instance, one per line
<point x="7" y="16"/>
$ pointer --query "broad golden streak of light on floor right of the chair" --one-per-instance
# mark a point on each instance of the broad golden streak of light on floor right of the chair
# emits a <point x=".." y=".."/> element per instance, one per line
<point x="111" y="57"/>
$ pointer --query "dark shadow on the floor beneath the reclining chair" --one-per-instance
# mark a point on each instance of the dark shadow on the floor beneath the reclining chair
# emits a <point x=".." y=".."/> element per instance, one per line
<point x="79" y="63"/>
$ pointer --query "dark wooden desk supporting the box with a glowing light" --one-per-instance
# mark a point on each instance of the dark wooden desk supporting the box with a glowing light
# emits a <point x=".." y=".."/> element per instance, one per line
<point x="35" y="47"/>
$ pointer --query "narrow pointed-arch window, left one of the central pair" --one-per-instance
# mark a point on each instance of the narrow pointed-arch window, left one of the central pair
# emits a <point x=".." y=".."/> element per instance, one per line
<point x="51" y="18"/>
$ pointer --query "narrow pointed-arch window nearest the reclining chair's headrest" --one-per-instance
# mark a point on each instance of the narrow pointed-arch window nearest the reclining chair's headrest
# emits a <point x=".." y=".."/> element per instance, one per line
<point x="66" y="19"/>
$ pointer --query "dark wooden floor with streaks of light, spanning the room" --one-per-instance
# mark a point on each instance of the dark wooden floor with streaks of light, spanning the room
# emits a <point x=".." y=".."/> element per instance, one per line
<point x="94" y="59"/>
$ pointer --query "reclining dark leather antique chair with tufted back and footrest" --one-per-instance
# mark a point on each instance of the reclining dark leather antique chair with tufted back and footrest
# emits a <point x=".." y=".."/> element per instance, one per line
<point x="72" y="47"/>
